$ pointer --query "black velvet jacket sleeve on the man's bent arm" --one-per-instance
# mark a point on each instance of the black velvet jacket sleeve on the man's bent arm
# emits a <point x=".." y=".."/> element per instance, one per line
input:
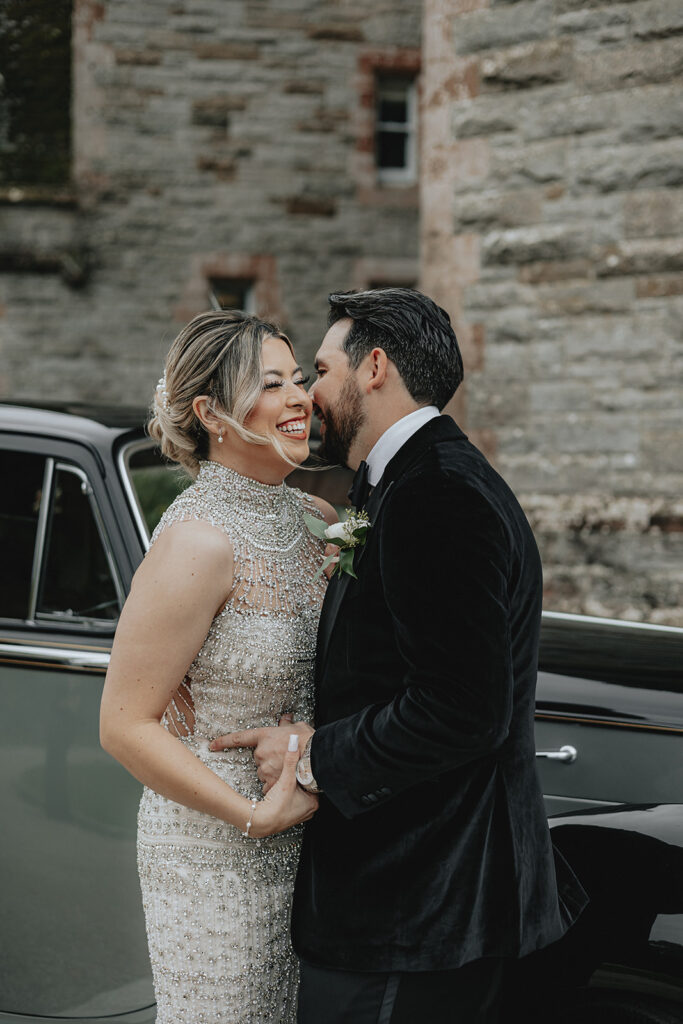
<point x="445" y="561"/>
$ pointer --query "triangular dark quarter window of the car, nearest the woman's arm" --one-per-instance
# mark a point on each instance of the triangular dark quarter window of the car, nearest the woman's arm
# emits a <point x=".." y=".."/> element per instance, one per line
<point x="76" y="577"/>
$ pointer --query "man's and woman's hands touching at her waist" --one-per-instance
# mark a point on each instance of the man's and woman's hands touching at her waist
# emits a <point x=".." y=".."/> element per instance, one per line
<point x="288" y="804"/>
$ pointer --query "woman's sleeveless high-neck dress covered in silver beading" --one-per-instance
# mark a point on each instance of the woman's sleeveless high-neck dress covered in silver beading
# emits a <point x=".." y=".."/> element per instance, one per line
<point x="217" y="905"/>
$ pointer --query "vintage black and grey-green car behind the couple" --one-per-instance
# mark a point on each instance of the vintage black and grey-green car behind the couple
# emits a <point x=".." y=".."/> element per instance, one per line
<point x="82" y="489"/>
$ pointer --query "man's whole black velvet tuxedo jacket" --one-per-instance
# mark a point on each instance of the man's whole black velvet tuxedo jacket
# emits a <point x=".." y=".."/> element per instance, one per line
<point x="431" y="847"/>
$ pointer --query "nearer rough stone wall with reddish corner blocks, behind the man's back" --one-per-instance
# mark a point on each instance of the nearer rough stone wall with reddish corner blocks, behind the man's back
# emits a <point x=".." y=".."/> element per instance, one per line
<point x="551" y="198"/>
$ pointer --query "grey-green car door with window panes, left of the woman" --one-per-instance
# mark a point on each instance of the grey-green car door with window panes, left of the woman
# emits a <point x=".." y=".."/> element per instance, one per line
<point x="74" y="943"/>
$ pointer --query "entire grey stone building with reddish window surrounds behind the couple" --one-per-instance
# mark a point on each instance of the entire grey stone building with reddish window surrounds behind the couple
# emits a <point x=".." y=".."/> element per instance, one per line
<point x="522" y="162"/>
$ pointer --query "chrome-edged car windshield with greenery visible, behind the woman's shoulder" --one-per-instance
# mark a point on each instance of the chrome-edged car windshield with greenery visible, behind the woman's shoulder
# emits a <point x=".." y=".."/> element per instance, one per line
<point x="154" y="483"/>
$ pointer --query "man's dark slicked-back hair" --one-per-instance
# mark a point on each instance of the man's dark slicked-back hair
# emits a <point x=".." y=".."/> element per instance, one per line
<point x="415" y="333"/>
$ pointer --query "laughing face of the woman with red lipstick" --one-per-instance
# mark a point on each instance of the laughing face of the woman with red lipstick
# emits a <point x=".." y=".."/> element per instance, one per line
<point x="284" y="408"/>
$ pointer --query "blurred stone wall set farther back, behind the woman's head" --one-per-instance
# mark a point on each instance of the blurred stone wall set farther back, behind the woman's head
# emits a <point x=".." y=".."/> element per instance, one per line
<point x="212" y="139"/>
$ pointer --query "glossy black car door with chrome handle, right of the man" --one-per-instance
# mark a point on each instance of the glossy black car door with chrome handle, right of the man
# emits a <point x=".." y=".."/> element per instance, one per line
<point x="610" y="714"/>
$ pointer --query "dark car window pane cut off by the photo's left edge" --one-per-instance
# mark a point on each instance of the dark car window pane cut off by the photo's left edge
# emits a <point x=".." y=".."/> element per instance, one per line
<point x="21" y="491"/>
